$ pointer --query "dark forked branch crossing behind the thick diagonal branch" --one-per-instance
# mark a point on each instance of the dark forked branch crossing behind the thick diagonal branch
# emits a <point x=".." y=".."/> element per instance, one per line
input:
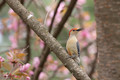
<point x="46" y="50"/>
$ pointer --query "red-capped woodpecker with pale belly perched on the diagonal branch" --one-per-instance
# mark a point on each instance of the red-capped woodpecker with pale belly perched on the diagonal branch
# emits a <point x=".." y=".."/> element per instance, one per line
<point x="72" y="45"/>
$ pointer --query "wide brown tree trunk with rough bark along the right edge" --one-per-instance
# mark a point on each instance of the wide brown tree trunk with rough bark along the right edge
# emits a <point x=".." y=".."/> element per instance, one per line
<point x="107" y="14"/>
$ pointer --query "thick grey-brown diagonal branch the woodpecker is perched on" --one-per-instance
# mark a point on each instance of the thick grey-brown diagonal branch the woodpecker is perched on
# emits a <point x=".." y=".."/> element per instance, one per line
<point x="50" y="41"/>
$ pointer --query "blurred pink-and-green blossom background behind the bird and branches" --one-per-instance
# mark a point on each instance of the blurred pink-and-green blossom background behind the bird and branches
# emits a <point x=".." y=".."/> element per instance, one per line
<point x="15" y="35"/>
